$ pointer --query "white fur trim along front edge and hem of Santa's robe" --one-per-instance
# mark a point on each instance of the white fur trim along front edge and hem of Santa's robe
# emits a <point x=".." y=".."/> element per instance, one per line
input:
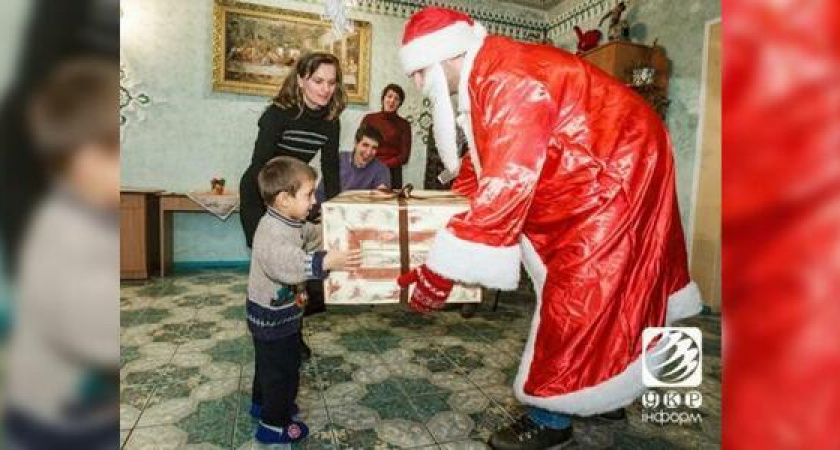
<point x="608" y="395"/>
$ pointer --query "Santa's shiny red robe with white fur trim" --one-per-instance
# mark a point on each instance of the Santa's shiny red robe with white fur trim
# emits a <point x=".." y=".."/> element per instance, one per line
<point x="570" y="173"/>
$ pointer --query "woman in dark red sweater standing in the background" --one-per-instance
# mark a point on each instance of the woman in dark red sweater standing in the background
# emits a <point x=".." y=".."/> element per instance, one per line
<point x="395" y="148"/>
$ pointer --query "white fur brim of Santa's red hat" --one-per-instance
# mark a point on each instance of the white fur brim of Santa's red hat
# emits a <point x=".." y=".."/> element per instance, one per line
<point x="443" y="44"/>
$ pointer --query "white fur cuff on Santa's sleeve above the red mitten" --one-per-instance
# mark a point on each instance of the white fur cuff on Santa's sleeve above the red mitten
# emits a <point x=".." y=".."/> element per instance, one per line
<point x="474" y="263"/>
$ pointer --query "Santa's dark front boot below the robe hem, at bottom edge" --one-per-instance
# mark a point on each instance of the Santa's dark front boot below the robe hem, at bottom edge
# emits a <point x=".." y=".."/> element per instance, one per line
<point x="525" y="434"/>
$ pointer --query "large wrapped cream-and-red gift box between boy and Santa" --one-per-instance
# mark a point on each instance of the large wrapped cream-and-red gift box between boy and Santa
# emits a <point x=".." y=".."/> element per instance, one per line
<point x="394" y="230"/>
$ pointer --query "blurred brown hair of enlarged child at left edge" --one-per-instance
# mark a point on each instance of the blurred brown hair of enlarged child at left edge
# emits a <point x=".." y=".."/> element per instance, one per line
<point x="75" y="106"/>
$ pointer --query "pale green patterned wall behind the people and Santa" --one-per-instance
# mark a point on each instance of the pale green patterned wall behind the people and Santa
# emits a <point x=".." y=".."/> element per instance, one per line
<point x="196" y="133"/>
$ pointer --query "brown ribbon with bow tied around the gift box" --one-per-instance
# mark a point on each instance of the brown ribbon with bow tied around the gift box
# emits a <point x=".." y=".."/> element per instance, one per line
<point x="402" y="197"/>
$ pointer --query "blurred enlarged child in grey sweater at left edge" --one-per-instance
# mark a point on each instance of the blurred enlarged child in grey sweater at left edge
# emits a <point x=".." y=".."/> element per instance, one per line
<point x="62" y="381"/>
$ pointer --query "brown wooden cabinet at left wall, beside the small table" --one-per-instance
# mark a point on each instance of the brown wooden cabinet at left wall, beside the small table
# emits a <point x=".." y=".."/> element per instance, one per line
<point x="139" y="233"/>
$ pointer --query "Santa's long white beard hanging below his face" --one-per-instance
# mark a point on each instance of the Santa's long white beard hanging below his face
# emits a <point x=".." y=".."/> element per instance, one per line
<point x="443" y="116"/>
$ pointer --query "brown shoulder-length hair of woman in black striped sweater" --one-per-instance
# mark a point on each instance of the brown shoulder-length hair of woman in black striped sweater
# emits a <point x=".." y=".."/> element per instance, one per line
<point x="291" y="95"/>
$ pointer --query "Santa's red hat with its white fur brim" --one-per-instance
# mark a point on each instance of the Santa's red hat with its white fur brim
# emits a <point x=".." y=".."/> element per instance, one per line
<point x="436" y="34"/>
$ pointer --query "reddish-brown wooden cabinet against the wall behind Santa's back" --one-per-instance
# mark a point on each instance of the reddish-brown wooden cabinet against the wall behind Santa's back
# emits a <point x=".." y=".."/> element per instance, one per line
<point x="620" y="59"/>
